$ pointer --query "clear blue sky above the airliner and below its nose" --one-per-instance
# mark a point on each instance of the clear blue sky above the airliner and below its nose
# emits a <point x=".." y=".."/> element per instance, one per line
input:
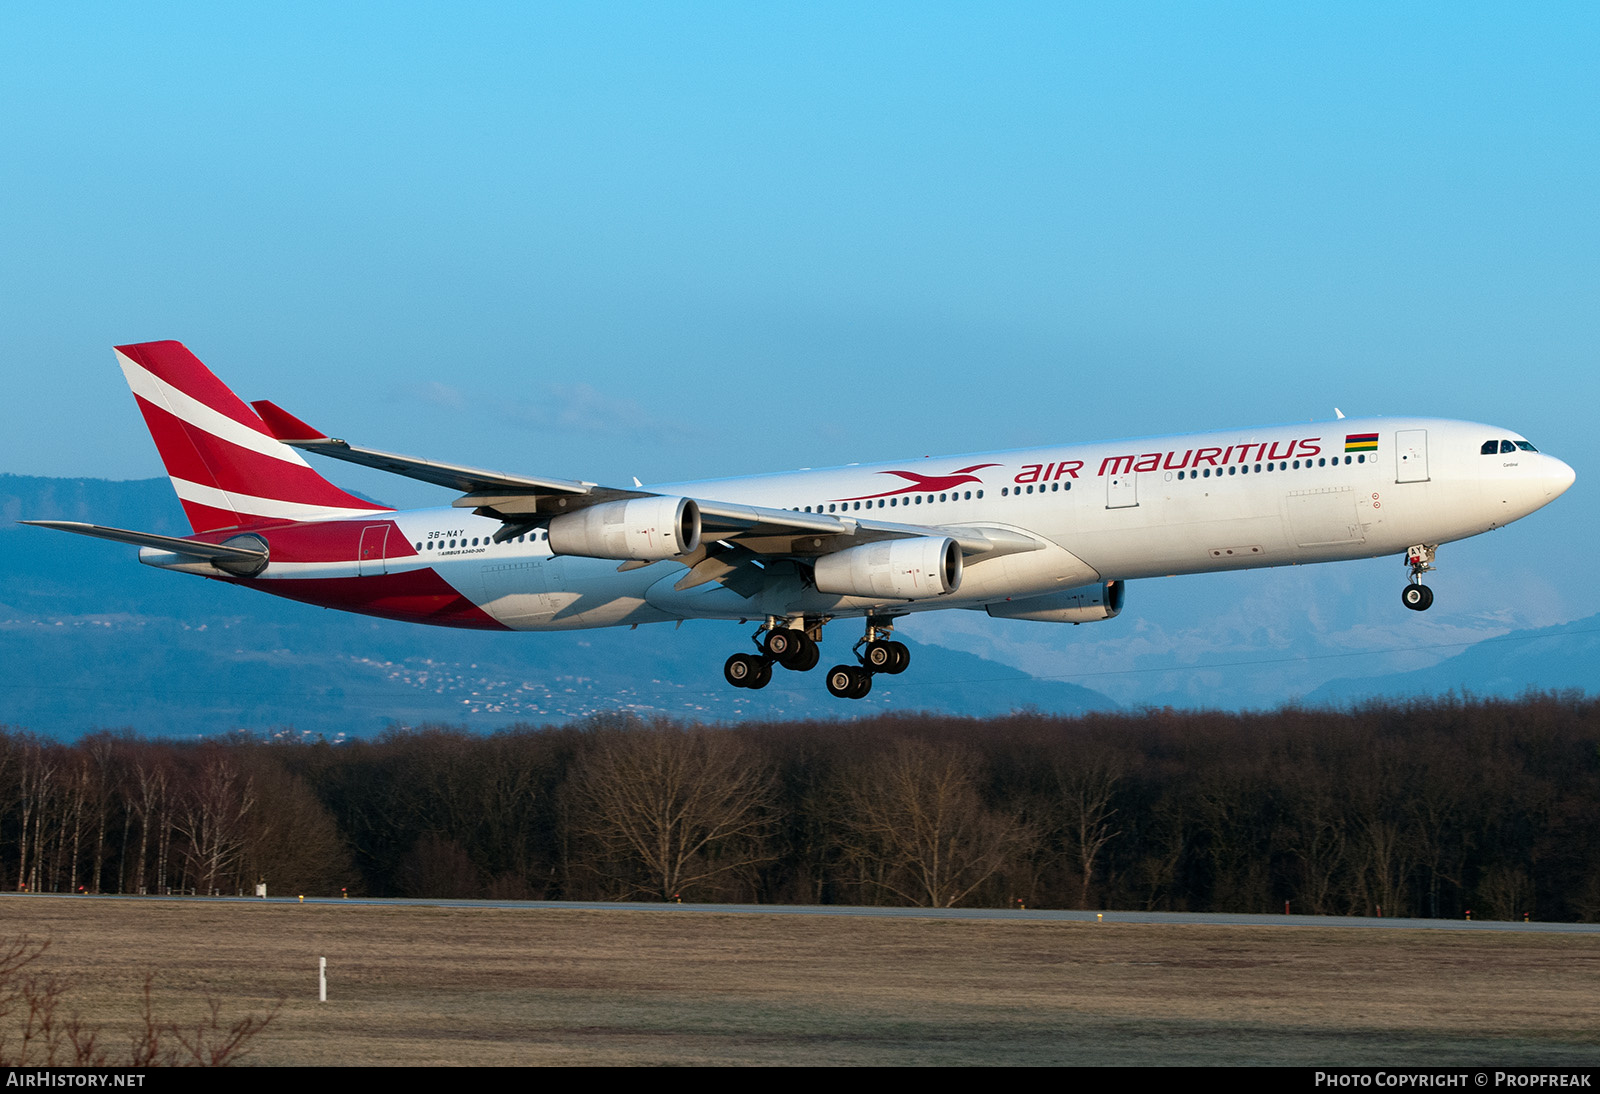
<point x="694" y="241"/>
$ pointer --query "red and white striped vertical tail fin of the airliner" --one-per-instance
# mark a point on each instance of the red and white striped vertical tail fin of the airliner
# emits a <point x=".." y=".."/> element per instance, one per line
<point x="225" y="463"/>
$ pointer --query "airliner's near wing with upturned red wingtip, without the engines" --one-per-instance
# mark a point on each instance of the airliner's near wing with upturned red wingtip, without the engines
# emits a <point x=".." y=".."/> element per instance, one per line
<point x="734" y="533"/>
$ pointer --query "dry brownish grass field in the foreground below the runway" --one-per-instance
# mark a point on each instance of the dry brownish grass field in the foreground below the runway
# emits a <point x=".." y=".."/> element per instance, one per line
<point x="553" y="986"/>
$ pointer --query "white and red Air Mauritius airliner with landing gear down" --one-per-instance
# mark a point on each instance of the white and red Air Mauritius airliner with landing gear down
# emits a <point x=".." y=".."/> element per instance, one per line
<point x="1050" y="535"/>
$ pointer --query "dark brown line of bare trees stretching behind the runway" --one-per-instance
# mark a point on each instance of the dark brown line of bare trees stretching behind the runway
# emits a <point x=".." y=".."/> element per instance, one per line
<point x="1430" y="809"/>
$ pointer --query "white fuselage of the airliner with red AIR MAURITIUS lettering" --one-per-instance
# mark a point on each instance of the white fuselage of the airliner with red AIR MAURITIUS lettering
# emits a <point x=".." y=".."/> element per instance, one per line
<point x="1116" y="511"/>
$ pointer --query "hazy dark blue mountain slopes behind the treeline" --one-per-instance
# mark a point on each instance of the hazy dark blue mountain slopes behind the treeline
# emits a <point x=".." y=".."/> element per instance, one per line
<point x="94" y="641"/>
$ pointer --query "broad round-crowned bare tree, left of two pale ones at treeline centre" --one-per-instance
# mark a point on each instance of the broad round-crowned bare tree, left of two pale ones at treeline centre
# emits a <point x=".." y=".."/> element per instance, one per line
<point x="673" y="809"/>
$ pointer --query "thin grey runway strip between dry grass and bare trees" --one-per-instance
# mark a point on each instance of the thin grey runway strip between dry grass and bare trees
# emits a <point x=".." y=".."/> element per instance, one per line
<point x="1041" y="916"/>
